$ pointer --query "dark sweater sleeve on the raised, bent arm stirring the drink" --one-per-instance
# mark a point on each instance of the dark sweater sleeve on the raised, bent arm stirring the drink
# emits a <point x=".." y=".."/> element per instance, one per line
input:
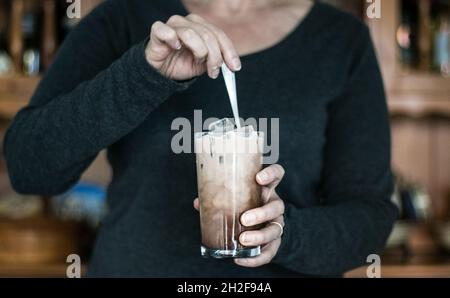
<point x="94" y="94"/>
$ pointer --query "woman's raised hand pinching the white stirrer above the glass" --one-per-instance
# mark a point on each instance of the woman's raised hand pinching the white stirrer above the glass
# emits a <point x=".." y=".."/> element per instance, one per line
<point x="186" y="47"/>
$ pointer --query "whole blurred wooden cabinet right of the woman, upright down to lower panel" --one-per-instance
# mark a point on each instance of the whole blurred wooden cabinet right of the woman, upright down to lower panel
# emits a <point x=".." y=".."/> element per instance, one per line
<point x="419" y="102"/>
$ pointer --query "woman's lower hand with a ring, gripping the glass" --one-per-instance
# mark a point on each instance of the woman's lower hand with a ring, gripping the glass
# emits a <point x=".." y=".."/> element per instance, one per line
<point x="272" y="211"/>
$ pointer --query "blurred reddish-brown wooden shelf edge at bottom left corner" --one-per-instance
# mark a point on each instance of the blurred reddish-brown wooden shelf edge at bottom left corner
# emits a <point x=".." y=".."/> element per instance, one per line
<point x="35" y="270"/>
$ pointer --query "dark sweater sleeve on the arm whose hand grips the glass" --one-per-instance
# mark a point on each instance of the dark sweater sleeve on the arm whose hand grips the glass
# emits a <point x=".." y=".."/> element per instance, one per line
<point x="356" y="214"/>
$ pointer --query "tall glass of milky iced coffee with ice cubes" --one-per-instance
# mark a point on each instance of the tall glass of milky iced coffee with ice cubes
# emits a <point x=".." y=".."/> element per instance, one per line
<point x="228" y="160"/>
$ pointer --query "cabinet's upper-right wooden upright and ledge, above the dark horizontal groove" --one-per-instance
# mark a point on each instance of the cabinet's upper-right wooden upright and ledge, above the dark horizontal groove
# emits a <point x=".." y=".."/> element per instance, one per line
<point x="410" y="93"/>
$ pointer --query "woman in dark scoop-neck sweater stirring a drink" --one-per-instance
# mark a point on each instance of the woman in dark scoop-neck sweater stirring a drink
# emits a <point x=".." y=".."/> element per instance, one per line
<point x="113" y="85"/>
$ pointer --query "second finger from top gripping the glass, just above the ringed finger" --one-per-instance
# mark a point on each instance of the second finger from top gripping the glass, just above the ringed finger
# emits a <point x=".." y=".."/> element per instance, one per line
<point x="273" y="209"/>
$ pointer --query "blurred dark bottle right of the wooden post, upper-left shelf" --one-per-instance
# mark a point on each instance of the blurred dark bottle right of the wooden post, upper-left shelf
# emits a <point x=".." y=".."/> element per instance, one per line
<point x="31" y="57"/>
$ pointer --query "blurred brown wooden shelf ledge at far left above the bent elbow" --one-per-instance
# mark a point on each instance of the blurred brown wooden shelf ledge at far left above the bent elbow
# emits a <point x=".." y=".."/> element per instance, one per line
<point x="15" y="92"/>
